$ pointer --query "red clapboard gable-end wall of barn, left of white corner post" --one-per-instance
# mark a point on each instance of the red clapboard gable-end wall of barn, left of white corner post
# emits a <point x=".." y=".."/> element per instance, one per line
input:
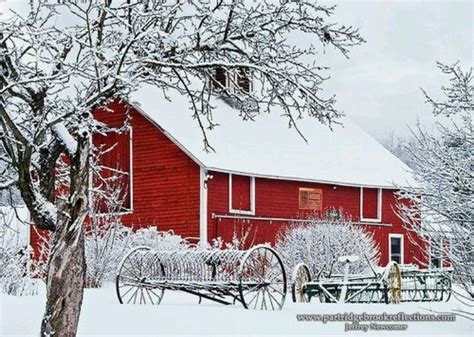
<point x="165" y="179"/>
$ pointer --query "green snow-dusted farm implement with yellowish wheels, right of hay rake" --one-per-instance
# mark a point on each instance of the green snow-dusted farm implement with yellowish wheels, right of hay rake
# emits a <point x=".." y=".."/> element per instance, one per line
<point x="394" y="284"/>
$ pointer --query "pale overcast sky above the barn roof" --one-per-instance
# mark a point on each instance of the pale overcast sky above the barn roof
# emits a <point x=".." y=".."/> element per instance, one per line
<point x="379" y="86"/>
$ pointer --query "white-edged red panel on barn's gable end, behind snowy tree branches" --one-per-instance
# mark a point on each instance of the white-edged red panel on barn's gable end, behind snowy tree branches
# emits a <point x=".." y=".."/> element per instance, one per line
<point x="112" y="182"/>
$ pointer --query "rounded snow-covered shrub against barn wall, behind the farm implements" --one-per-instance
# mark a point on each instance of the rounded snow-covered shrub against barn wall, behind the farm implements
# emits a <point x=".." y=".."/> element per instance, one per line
<point x="319" y="243"/>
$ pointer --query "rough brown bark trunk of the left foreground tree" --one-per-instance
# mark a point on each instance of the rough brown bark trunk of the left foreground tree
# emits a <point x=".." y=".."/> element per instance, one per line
<point x="67" y="266"/>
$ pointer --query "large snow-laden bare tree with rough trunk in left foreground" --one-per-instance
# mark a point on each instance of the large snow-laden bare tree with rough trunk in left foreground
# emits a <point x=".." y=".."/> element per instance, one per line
<point x="62" y="60"/>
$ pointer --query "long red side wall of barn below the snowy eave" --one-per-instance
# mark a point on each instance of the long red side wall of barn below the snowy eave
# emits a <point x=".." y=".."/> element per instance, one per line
<point x="279" y="199"/>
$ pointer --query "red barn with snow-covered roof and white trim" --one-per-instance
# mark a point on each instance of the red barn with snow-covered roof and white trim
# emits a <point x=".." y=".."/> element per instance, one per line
<point x="262" y="175"/>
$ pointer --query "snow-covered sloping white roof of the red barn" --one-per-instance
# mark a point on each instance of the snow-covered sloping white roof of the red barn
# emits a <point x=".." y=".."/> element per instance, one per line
<point x="266" y="147"/>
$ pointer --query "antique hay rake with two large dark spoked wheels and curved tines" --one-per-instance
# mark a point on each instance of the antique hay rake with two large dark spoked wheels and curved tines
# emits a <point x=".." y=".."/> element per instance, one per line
<point x="256" y="277"/>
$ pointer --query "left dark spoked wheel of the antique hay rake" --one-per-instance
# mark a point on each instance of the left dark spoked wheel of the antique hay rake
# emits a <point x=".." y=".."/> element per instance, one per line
<point x="134" y="279"/>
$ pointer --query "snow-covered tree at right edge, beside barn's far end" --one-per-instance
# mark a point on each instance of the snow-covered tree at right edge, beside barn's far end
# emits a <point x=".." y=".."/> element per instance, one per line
<point x="440" y="208"/>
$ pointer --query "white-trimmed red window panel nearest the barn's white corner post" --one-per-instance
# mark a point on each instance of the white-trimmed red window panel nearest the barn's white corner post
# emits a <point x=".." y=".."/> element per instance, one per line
<point x="241" y="194"/>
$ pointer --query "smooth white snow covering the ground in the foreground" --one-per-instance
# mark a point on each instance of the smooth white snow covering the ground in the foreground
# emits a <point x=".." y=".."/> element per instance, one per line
<point x="180" y="315"/>
